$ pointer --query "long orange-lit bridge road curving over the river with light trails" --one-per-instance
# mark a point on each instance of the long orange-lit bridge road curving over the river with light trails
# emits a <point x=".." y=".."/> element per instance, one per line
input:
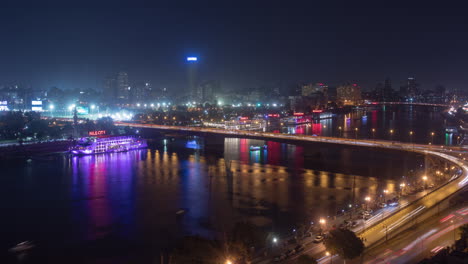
<point x="374" y="232"/>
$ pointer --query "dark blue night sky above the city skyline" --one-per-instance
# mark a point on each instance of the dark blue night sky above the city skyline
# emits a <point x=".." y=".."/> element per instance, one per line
<point x="243" y="46"/>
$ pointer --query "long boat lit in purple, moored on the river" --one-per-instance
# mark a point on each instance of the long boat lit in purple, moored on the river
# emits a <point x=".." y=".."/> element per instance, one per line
<point x="107" y="144"/>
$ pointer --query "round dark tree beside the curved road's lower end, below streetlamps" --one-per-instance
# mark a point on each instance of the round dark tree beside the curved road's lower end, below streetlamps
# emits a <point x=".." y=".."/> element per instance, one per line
<point x="344" y="243"/>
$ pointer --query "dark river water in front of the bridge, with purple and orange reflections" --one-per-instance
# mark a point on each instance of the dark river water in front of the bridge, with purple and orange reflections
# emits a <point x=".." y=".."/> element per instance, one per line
<point x="122" y="207"/>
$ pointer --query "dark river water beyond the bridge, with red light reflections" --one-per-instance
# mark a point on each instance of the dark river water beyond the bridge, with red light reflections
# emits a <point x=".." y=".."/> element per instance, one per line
<point x="422" y="120"/>
